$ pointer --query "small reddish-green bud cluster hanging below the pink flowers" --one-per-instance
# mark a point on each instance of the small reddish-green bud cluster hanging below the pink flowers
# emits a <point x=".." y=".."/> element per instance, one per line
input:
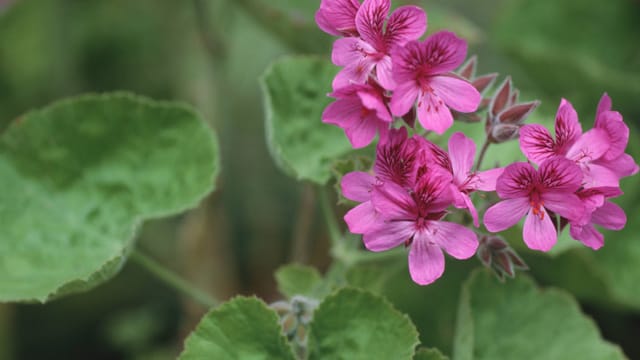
<point x="496" y="254"/>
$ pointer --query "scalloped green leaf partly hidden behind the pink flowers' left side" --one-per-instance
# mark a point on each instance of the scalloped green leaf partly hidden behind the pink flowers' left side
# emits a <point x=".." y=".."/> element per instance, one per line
<point x="295" y="90"/>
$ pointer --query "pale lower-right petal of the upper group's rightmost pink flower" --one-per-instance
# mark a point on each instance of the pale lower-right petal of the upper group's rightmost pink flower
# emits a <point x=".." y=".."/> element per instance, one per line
<point x="458" y="94"/>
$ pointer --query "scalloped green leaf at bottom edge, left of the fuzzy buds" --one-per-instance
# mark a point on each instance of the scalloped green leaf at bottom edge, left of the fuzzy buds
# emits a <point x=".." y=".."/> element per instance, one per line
<point x="243" y="328"/>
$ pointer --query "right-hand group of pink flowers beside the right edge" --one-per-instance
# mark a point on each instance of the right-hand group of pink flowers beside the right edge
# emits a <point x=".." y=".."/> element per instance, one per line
<point x="577" y="174"/>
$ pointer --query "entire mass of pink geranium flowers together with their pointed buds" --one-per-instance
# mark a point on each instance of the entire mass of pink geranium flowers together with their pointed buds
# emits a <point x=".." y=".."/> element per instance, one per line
<point x="388" y="74"/>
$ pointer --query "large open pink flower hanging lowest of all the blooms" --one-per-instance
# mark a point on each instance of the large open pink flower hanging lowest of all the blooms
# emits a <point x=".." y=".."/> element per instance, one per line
<point x="415" y="220"/>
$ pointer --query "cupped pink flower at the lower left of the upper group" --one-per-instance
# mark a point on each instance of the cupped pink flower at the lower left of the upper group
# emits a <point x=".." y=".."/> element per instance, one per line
<point x="361" y="111"/>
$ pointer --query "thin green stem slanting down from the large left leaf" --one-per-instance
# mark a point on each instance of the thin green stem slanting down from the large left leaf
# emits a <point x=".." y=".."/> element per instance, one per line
<point x="172" y="279"/>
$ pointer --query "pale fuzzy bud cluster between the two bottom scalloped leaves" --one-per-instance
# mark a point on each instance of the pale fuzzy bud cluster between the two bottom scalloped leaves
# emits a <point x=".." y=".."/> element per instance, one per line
<point x="295" y="316"/>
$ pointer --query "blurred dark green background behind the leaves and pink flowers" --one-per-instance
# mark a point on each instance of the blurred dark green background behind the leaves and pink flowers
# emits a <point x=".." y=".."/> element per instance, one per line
<point x="211" y="53"/>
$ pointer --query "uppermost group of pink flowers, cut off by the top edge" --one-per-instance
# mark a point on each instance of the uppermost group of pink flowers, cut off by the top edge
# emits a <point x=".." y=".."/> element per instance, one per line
<point x="387" y="70"/>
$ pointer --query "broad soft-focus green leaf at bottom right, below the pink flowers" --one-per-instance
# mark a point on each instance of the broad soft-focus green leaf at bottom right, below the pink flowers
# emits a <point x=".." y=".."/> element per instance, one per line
<point x="516" y="320"/>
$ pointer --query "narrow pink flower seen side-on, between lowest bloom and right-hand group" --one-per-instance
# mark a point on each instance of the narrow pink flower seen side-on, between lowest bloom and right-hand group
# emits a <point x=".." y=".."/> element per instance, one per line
<point x="459" y="162"/>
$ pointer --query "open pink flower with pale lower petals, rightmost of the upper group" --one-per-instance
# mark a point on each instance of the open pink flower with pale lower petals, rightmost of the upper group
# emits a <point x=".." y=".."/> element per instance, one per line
<point x="423" y="72"/>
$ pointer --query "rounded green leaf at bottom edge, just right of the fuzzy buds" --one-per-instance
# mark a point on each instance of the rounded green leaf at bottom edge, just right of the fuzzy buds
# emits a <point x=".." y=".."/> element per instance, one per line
<point x="354" y="324"/>
